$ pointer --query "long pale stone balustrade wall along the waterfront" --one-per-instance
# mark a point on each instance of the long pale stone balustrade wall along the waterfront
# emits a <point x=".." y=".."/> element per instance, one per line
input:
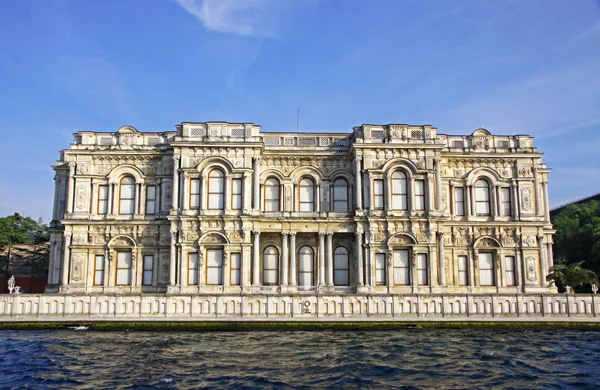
<point x="299" y="306"/>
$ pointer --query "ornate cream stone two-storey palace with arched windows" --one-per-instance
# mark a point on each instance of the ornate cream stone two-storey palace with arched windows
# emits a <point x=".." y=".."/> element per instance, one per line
<point x="224" y="209"/>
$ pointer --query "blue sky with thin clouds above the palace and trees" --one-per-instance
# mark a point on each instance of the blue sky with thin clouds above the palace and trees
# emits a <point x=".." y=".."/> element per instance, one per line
<point x="513" y="67"/>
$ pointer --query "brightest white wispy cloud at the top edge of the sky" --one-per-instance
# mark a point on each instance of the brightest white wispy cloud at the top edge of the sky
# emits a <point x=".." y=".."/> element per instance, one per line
<point x="237" y="17"/>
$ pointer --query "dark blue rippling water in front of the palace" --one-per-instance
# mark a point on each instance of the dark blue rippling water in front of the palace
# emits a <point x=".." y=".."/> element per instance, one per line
<point x="411" y="358"/>
